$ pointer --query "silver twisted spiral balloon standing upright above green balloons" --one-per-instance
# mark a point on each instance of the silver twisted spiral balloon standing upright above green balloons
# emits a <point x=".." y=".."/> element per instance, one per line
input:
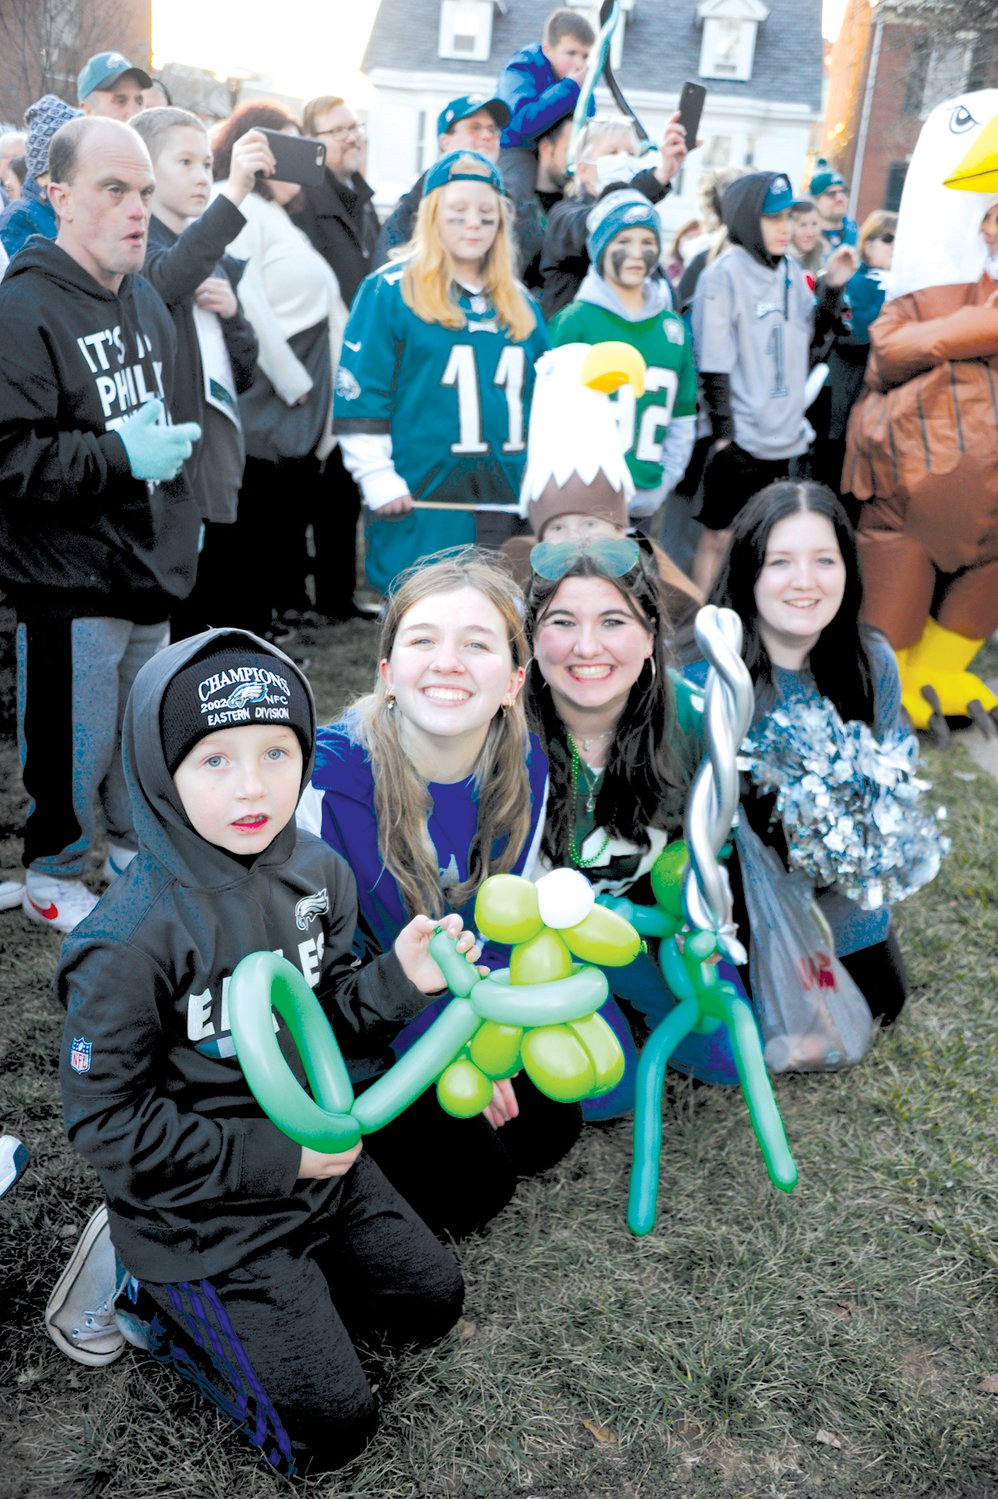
<point x="714" y="798"/>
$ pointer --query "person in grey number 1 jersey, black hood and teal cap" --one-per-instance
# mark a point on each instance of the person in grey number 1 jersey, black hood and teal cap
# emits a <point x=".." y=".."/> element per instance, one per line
<point x="756" y="323"/>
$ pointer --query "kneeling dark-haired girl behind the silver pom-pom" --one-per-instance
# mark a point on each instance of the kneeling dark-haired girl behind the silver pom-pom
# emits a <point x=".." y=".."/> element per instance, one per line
<point x="793" y="578"/>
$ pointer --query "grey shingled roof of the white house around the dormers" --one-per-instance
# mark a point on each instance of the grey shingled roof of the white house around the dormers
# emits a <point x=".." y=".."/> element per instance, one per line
<point x="662" y="46"/>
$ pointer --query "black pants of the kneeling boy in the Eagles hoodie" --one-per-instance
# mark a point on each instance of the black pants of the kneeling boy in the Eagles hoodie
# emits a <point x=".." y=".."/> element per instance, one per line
<point x="272" y="1342"/>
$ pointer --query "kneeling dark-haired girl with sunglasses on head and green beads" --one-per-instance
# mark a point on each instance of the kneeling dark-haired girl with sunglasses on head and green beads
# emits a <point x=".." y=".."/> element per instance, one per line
<point x="623" y="737"/>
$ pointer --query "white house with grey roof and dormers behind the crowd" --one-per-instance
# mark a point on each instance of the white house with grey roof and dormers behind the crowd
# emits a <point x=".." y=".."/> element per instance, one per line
<point x="760" y="64"/>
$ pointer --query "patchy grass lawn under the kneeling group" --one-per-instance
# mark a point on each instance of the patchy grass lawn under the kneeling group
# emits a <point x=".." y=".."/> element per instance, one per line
<point x="835" y="1344"/>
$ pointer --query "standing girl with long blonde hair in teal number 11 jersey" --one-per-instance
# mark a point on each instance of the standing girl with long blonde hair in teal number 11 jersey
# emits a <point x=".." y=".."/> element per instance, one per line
<point x="435" y="383"/>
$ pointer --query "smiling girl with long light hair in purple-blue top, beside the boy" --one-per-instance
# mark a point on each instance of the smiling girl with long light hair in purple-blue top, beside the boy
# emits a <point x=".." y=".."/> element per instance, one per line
<point x="428" y="786"/>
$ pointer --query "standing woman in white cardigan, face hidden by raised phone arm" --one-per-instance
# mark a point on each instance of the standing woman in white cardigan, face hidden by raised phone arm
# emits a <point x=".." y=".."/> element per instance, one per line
<point x="293" y="302"/>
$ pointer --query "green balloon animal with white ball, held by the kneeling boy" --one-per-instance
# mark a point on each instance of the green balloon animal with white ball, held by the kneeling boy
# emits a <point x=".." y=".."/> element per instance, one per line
<point x="539" y="1016"/>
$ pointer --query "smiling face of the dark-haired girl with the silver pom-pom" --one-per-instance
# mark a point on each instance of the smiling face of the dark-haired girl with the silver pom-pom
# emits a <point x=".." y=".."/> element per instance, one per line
<point x="799" y="588"/>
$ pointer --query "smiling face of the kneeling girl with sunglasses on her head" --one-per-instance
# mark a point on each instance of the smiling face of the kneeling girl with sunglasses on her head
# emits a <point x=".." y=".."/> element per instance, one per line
<point x="591" y="647"/>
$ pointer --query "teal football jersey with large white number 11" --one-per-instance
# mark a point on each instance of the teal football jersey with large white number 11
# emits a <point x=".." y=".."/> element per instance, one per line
<point x="453" y="402"/>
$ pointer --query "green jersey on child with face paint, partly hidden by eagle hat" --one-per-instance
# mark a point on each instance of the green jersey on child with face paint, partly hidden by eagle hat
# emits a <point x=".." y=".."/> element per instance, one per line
<point x="671" y="381"/>
